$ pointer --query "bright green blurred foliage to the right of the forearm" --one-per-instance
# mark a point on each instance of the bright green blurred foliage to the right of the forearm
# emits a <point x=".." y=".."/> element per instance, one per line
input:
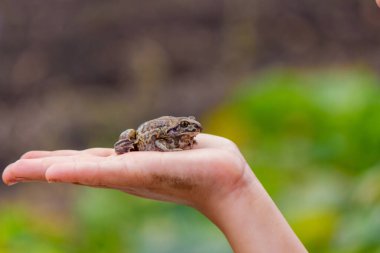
<point x="313" y="140"/>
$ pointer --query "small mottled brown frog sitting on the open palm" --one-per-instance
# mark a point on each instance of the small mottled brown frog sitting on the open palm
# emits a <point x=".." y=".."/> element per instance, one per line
<point x="166" y="133"/>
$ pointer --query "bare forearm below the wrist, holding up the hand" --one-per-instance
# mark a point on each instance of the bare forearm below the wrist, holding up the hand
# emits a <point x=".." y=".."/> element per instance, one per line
<point x="252" y="222"/>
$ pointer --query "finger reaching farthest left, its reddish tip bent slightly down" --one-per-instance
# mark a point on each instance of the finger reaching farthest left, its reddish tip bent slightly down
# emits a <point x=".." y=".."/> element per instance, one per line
<point x="34" y="169"/>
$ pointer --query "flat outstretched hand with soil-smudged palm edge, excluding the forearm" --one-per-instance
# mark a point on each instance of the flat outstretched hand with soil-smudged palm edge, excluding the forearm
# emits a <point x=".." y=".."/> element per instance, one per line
<point x="194" y="177"/>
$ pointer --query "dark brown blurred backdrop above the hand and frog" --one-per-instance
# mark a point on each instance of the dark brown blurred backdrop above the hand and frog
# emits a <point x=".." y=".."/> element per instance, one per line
<point x="70" y="70"/>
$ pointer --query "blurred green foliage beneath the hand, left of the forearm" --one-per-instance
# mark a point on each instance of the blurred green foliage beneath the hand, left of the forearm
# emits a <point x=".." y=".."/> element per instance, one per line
<point x="109" y="221"/>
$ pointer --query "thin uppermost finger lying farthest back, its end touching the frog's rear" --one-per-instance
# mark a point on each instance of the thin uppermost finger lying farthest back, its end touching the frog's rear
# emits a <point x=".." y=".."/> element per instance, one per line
<point x="91" y="151"/>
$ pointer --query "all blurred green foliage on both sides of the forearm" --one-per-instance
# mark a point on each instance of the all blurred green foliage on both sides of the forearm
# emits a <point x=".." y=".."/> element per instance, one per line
<point x="311" y="137"/>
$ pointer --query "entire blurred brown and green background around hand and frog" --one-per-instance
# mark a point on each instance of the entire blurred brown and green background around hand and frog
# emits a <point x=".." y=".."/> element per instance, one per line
<point x="295" y="83"/>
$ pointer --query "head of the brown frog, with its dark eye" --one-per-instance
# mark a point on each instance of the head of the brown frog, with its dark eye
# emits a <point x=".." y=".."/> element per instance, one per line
<point x="185" y="126"/>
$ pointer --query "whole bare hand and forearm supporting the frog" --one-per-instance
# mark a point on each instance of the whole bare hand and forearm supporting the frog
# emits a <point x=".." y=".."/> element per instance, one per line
<point x="213" y="178"/>
